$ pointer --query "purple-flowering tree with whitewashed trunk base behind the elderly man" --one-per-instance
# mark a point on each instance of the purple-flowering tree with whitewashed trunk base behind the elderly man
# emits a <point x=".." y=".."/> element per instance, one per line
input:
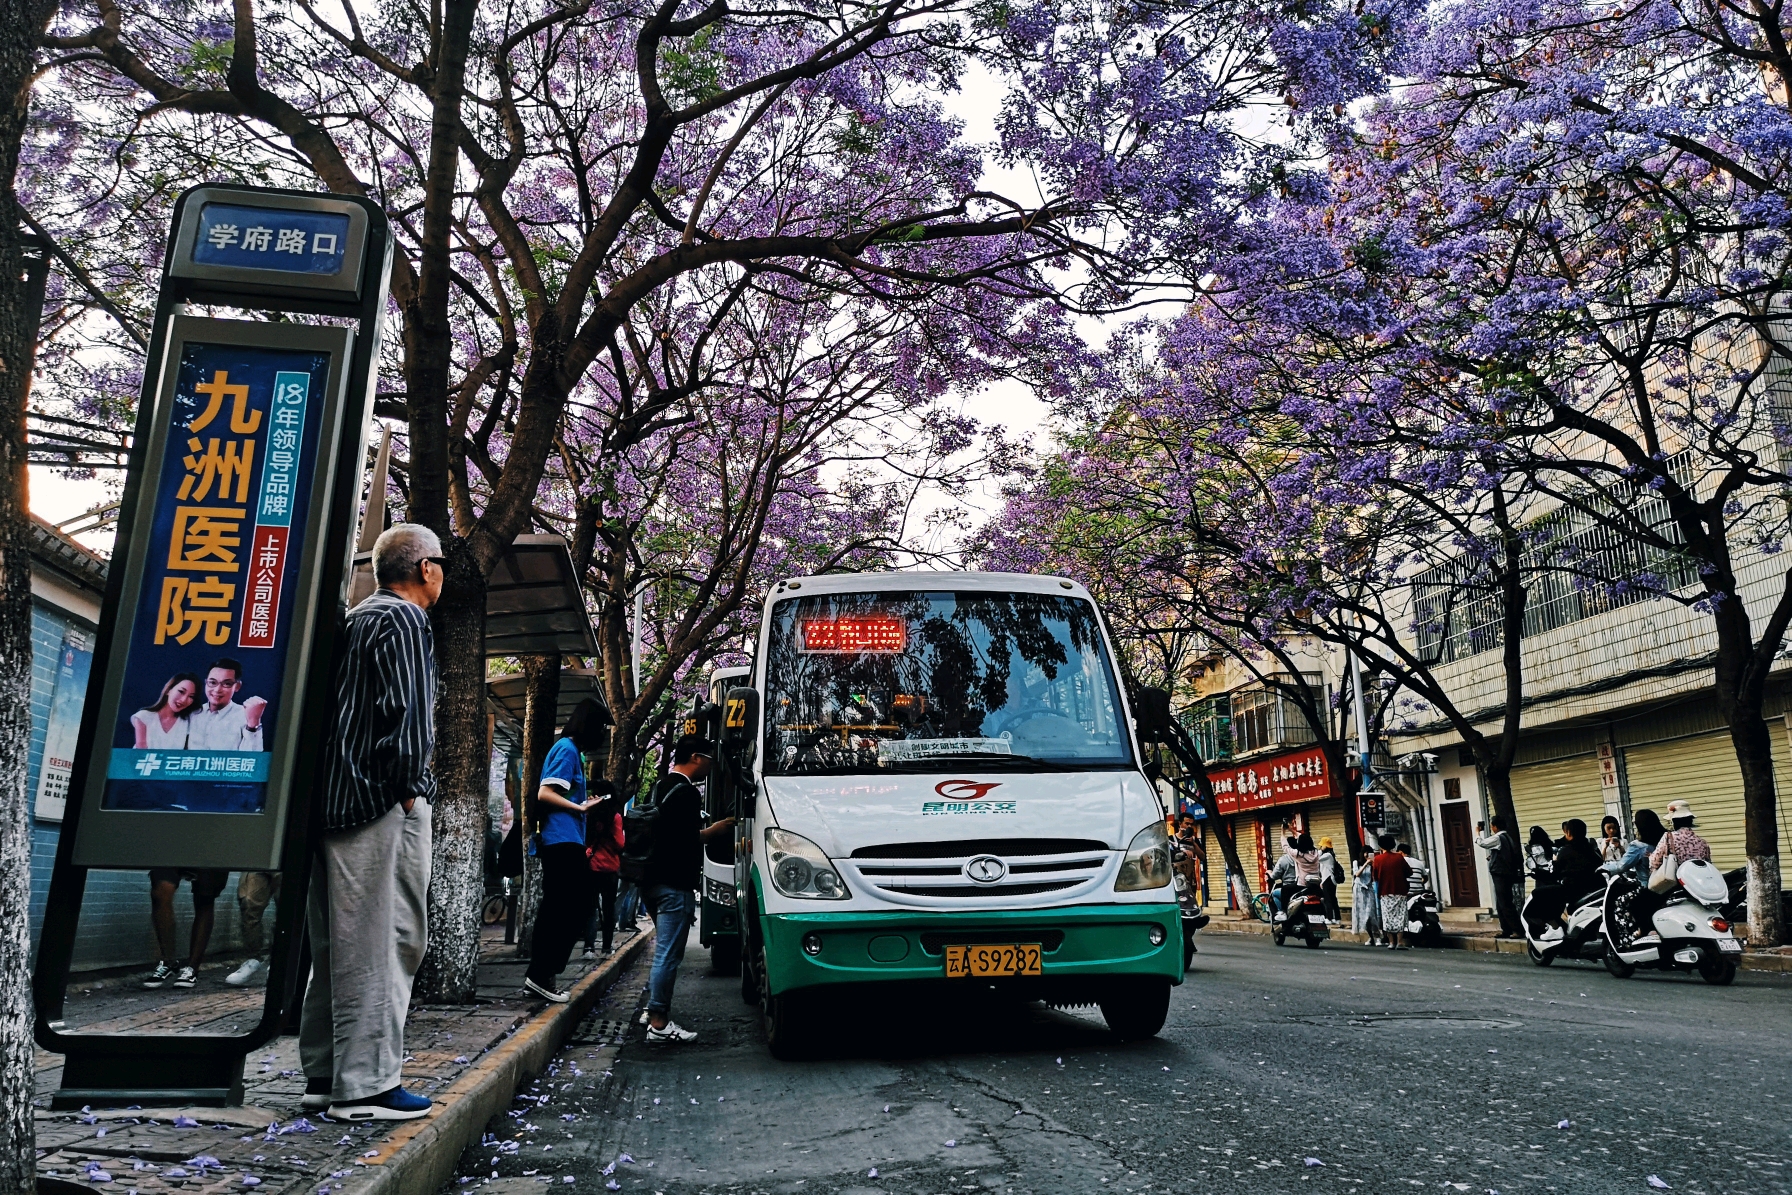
<point x="551" y="168"/>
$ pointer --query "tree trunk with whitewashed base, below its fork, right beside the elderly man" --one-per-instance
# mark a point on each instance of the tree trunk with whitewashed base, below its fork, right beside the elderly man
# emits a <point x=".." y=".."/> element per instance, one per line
<point x="463" y="775"/>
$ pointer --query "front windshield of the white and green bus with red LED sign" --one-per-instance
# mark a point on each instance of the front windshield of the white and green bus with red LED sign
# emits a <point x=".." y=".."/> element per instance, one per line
<point x="935" y="682"/>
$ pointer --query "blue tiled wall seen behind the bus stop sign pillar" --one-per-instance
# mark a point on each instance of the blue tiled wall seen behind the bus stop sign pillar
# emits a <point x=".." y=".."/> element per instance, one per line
<point x="116" y="909"/>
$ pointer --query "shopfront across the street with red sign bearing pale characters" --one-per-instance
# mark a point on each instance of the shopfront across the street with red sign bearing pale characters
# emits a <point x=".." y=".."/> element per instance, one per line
<point x="1262" y="804"/>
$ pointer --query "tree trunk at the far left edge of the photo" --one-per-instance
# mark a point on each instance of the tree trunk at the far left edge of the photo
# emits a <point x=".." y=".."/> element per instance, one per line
<point x="22" y="24"/>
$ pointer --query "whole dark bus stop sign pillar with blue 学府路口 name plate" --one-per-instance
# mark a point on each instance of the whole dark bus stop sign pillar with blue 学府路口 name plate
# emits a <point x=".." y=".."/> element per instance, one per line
<point x="209" y="709"/>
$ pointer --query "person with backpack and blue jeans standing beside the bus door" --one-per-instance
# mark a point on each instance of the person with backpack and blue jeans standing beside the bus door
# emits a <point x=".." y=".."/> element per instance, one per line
<point x="669" y="870"/>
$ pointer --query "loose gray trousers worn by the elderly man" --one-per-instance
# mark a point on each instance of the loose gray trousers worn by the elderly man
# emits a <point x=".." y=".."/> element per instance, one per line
<point x="366" y="913"/>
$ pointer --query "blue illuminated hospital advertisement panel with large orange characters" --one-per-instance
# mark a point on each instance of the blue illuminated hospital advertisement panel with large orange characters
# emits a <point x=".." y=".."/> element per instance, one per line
<point x="203" y="678"/>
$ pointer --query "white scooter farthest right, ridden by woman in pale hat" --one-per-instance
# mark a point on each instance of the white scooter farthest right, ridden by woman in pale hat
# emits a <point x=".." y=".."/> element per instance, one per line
<point x="1684" y="933"/>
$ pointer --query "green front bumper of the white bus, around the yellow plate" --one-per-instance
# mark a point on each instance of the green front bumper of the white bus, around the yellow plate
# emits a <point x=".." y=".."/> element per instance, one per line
<point x="1085" y="941"/>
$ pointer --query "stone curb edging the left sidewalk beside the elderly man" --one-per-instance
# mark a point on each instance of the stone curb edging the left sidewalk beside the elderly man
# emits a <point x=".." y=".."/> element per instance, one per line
<point x="422" y="1155"/>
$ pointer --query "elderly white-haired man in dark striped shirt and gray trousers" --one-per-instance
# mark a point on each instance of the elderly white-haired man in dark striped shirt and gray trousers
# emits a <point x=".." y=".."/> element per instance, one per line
<point x="372" y="872"/>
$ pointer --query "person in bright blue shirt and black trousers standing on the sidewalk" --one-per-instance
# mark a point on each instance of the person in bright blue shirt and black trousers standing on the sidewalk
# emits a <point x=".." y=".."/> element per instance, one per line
<point x="567" y="888"/>
